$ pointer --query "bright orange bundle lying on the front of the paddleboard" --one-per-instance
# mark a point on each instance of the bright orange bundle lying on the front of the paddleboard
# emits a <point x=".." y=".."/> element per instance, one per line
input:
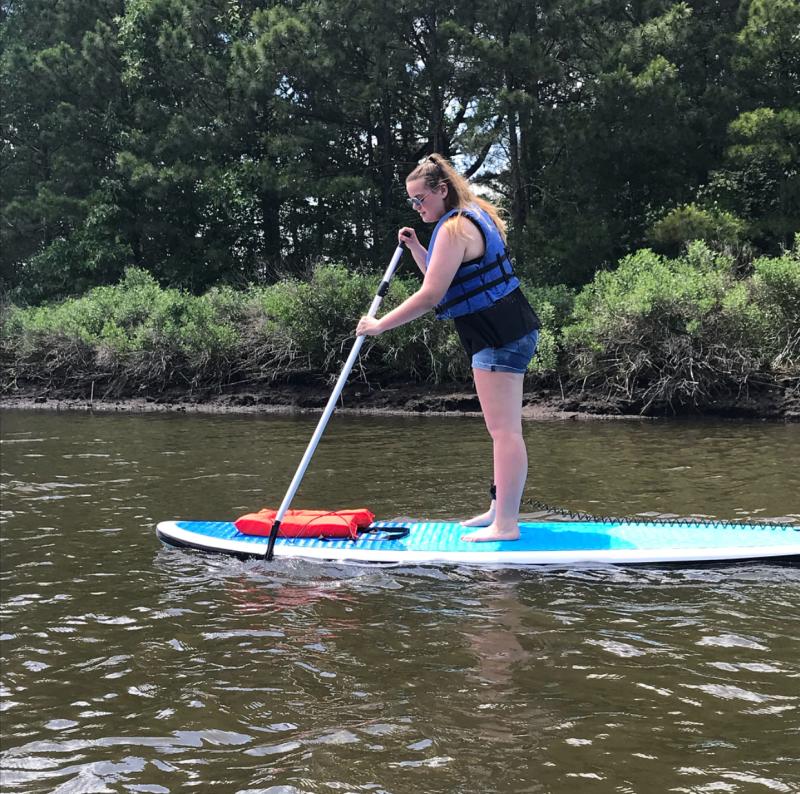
<point x="307" y="523"/>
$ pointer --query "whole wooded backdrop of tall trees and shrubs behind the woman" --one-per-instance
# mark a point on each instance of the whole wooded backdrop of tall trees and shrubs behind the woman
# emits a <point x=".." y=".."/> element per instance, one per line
<point x="201" y="194"/>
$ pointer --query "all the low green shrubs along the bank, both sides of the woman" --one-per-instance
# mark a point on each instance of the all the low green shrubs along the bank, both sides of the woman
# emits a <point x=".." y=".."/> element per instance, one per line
<point x="655" y="332"/>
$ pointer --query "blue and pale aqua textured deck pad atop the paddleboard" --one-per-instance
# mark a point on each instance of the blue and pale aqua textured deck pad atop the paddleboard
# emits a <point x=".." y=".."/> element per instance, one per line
<point x="442" y="536"/>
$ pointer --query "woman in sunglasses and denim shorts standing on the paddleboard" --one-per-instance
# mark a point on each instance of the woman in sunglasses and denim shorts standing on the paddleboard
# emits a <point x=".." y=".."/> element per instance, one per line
<point x="469" y="277"/>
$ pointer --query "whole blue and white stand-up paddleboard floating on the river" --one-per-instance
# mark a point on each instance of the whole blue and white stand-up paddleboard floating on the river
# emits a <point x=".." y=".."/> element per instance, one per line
<point x="541" y="543"/>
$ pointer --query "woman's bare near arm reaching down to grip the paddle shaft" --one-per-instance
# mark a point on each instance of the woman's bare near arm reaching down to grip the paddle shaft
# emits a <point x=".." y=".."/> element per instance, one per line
<point x="448" y="254"/>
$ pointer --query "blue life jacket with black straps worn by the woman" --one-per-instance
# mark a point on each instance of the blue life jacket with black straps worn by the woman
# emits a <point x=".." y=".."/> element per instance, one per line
<point x="479" y="283"/>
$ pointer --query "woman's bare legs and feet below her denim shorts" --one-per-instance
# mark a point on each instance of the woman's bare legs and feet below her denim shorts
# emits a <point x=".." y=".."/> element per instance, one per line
<point x="500" y="395"/>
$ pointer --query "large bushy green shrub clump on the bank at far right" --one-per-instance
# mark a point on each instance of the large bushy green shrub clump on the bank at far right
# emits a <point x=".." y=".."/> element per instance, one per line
<point x="680" y="332"/>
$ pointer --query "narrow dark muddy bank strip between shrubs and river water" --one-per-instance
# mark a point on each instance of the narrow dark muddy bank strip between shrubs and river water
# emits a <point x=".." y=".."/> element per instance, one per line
<point x="778" y="402"/>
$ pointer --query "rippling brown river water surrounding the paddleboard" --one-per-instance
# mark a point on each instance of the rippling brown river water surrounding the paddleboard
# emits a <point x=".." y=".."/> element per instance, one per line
<point x="128" y="667"/>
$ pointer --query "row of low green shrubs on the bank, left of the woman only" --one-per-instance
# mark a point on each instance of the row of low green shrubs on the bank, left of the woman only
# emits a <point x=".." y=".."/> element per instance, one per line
<point x="137" y="336"/>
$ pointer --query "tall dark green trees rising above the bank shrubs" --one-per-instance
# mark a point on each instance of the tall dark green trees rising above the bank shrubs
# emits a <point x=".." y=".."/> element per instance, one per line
<point x="217" y="142"/>
